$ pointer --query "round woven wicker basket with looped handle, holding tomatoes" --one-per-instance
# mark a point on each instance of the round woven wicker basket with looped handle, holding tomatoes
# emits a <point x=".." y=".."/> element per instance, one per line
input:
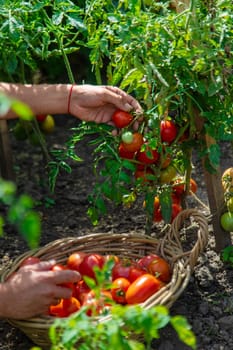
<point x="135" y="246"/>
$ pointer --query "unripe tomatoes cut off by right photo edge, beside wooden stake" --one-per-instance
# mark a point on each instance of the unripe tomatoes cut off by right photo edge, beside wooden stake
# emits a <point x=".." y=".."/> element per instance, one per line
<point x="227" y="184"/>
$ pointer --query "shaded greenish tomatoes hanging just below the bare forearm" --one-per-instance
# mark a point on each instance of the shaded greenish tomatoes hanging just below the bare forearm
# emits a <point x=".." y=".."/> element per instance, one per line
<point x="24" y="129"/>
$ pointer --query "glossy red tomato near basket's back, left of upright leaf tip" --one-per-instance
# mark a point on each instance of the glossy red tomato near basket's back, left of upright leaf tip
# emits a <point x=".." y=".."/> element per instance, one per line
<point x="86" y="267"/>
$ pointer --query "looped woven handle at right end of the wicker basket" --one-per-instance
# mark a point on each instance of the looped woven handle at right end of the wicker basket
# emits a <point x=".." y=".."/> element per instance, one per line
<point x="173" y="235"/>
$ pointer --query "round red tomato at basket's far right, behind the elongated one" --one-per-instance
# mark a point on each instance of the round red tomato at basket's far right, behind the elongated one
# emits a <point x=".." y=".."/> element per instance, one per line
<point x="160" y="269"/>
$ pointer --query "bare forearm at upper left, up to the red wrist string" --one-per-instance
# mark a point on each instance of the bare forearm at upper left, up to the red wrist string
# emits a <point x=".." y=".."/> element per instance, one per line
<point x="42" y="99"/>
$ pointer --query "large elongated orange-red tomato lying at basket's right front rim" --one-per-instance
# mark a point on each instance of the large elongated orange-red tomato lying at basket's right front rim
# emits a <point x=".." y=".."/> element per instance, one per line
<point x="142" y="288"/>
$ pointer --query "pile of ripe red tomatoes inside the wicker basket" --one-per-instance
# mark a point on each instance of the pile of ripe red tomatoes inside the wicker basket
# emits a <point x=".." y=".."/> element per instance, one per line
<point x="131" y="282"/>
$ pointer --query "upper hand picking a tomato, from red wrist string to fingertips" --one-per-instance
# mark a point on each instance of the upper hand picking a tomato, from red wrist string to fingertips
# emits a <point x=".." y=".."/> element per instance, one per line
<point x="98" y="103"/>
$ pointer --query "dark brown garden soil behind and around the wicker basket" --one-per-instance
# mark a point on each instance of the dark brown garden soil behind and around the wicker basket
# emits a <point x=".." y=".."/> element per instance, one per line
<point x="207" y="302"/>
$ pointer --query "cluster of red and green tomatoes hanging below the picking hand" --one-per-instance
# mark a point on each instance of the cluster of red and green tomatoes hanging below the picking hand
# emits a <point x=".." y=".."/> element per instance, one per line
<point x="150" y="162"/>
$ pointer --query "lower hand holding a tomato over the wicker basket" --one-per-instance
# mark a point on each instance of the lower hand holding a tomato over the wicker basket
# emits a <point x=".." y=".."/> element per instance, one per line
<point x="33" y="288"/>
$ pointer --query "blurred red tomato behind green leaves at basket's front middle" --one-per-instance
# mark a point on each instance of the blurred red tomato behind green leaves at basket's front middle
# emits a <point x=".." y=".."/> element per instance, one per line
<point x="97" y="306"/>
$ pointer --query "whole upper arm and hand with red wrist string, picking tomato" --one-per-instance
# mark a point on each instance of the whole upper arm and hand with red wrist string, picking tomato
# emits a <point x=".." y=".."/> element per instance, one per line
<point x="86" y="102"/>
